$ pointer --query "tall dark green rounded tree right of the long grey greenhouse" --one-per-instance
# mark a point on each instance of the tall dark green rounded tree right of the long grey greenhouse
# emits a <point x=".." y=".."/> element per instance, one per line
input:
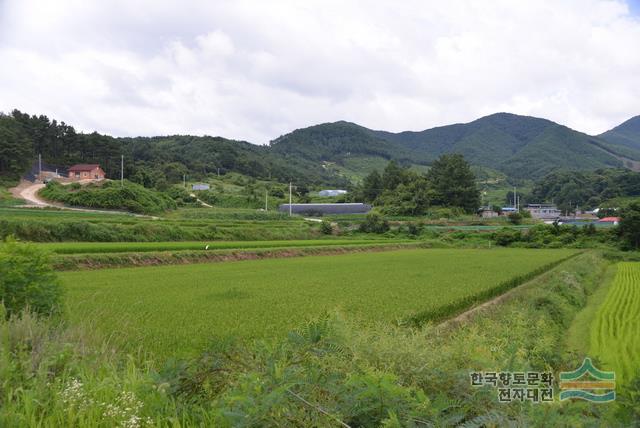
<point x="453" y="183"/>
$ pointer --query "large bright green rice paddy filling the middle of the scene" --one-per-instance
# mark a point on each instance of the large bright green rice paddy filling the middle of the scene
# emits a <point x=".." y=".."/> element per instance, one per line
<point x="179" y="310"/>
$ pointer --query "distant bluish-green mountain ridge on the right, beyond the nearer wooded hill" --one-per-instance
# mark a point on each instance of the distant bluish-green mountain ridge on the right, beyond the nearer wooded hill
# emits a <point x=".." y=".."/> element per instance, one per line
<point x="518" y="146"/>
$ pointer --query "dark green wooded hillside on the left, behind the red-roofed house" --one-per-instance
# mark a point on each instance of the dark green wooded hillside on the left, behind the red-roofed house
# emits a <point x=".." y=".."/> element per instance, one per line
<point x="152" y="161"/>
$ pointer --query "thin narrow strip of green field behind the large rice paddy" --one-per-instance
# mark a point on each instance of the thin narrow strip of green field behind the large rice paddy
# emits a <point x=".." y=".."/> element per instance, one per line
<point x="122" y="247"/>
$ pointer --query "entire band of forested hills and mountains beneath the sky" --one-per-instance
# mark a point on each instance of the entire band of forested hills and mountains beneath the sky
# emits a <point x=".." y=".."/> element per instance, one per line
<point x="520" y="147"/>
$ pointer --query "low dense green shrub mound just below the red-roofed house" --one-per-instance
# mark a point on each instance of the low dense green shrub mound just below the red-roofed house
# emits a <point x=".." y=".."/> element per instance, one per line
<point x="111" y="195"/>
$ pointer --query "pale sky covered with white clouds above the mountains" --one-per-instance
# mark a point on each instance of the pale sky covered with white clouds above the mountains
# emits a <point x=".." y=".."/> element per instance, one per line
<point x="255" y="70"/>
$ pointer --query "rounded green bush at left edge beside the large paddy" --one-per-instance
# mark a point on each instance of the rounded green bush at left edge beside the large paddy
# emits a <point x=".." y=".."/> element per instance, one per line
<point x="27" y="280"/>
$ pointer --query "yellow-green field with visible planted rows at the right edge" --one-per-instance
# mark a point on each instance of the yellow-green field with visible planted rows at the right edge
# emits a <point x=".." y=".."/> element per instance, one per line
<point x="614" y="336"/>
